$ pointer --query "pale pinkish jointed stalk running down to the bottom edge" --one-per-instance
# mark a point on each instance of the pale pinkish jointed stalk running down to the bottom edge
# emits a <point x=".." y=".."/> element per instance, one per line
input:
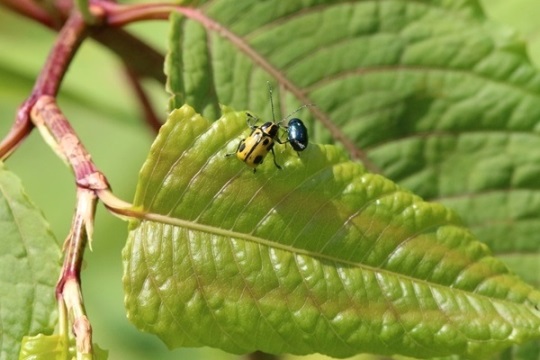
<point x="59" y="134"/>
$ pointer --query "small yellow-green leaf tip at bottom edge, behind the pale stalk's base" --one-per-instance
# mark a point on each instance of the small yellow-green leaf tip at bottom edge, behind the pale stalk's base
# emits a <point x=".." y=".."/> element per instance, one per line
<point x="55" y="347"/>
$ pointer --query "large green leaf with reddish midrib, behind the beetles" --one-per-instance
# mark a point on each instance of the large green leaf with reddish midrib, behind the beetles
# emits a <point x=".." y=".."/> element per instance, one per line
<point x="430" y="93"/>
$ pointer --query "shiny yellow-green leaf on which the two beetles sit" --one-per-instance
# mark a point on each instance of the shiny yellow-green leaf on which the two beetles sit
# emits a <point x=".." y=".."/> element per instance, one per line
<point x="319" y="257"/>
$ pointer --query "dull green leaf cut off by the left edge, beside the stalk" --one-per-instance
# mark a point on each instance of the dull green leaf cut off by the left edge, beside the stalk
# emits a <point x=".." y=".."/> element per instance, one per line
<point x="29" y="264"/>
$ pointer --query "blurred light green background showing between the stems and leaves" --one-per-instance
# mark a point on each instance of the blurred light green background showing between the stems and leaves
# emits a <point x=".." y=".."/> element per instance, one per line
<point x="103" y="112"/>
